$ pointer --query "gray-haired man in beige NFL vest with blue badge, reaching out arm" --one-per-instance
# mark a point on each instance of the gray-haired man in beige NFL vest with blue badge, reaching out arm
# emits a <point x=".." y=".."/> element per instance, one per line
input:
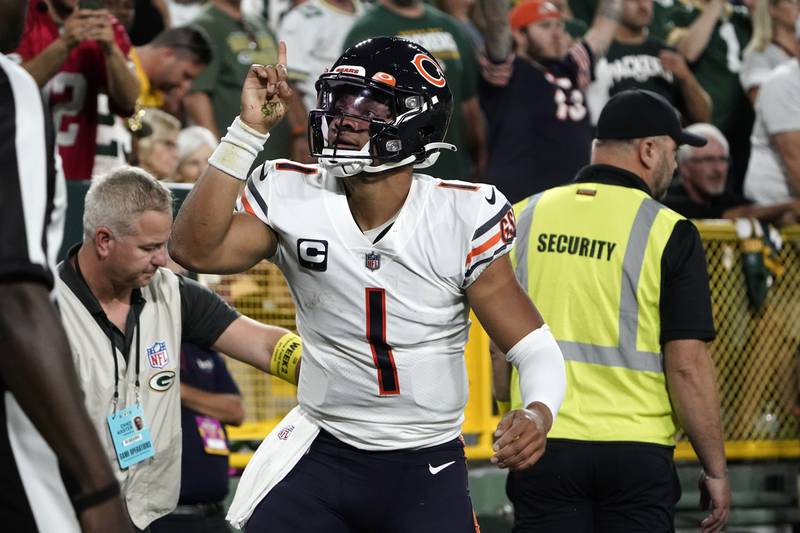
<point x="125" y="317"/>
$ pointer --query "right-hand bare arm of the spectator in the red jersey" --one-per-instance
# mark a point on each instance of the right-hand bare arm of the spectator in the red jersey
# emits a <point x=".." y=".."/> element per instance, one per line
<point x="121" y="79"/>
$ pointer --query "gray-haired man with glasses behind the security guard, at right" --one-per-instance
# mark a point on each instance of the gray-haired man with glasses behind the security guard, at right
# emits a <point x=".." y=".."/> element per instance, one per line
<point x="701" y="192"/>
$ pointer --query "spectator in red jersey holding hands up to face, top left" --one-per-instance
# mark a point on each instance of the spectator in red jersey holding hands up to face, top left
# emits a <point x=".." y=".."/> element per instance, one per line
<point x="73" y="54"/>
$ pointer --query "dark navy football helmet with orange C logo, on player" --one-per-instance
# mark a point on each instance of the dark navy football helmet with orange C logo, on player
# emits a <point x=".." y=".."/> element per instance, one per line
<point x="399" y="89"/>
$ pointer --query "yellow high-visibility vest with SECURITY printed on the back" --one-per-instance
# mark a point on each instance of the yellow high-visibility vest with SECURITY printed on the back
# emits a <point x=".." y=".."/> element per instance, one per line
<point x="589" y="254"/>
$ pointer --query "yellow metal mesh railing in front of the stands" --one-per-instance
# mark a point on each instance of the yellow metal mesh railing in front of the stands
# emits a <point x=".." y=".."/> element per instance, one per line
<point x="755" y="352"/>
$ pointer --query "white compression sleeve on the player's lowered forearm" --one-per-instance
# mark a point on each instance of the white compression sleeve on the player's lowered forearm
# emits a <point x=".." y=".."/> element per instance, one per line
<point x="542" y="375"/>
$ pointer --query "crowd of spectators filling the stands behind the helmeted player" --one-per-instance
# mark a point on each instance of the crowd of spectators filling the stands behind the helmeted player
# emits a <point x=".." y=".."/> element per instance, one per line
<point x="528" y="77"/>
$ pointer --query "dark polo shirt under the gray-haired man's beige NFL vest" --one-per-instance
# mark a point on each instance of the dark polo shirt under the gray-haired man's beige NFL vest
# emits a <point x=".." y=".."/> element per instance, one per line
<point x="205" y="315"/>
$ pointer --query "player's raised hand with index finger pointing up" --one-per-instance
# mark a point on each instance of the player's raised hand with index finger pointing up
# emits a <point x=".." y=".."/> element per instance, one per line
<point x="264" y="94"/>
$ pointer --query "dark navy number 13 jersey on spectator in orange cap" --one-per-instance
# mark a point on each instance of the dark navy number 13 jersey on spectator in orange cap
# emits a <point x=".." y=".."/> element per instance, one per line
<point x="539" y="132"/>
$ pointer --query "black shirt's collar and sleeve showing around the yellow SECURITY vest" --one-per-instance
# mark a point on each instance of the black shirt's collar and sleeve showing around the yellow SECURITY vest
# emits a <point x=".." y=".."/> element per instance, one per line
<point x="685" y="306"/>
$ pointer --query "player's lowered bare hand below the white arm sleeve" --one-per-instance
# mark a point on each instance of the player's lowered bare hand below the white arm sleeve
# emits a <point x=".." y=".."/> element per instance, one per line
<point x="521" y="437"/>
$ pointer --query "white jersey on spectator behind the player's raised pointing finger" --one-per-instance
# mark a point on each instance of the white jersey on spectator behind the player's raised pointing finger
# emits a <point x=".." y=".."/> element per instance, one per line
<point x="314" y="32"/>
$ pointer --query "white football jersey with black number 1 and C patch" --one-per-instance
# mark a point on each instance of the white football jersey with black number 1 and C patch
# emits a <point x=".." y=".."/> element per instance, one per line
<point x="383" y="324"/>
